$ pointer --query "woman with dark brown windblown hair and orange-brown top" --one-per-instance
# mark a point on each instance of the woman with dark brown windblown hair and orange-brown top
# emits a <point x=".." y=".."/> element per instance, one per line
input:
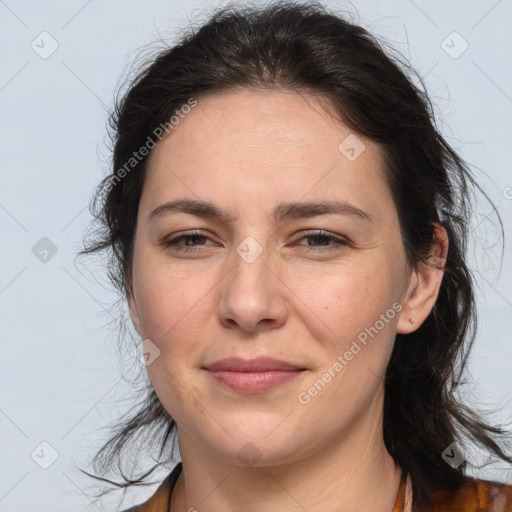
<point x="288" y="229"/>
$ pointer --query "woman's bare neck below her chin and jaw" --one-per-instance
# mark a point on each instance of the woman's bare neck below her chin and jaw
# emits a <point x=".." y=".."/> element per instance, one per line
<point x="351" y="473"/>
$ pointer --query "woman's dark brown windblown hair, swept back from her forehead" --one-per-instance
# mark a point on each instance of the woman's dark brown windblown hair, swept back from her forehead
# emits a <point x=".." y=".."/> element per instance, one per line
<point x="306" y="48"/>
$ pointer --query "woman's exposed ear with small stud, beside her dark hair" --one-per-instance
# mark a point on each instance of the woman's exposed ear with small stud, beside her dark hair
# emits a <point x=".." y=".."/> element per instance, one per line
<point x="424" y="284"/>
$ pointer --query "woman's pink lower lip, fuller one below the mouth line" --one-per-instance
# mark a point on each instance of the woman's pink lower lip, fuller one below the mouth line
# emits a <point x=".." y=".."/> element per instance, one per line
<point x="253" y="382"/>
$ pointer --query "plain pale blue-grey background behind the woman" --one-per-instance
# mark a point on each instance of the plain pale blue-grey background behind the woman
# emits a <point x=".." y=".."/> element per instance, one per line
<point x="60" y="375"/>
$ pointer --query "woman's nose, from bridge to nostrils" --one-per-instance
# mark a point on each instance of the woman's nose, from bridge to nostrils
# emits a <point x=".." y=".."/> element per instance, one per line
<point x="253" y="297"/>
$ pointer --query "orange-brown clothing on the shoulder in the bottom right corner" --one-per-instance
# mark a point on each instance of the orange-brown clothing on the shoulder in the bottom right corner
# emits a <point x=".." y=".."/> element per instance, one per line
<point x="474" y="495"/>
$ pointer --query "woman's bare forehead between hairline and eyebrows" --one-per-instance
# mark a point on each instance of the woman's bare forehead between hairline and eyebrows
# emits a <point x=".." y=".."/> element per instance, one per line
<point x="264" y="146"/>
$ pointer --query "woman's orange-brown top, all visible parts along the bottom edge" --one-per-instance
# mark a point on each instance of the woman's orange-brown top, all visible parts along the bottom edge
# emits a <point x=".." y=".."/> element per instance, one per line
<point x="473" y="495"/>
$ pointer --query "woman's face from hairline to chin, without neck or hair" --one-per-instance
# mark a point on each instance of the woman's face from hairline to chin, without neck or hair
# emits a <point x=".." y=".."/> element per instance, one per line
<point x="273" y="276"/>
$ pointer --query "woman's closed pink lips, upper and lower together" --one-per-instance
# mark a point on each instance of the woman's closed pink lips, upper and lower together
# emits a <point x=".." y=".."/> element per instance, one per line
<point x="253" y="375"/>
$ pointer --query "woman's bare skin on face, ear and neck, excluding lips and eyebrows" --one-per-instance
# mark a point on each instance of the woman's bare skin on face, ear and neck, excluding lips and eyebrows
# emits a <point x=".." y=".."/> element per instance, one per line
<point x="303" y="299"/>
